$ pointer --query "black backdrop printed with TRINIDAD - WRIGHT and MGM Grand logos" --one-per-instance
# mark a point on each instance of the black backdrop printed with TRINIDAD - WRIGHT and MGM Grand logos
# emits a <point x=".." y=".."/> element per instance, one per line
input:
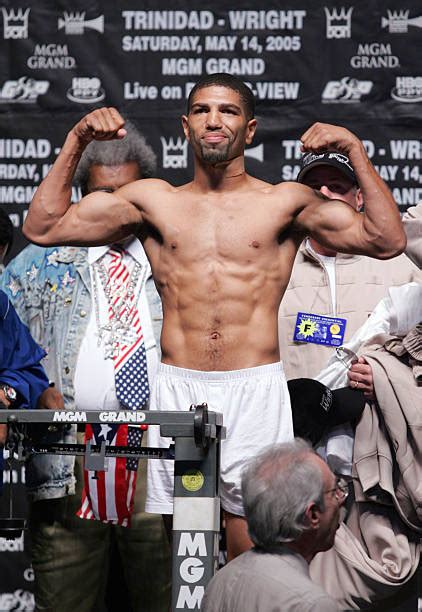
<point x="357" y="64"/>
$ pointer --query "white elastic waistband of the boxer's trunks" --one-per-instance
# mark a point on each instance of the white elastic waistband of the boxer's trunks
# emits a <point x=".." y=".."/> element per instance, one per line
<point x="217" y="375"/>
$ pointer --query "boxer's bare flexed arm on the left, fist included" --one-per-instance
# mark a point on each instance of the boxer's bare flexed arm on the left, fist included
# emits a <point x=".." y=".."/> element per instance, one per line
<point x="98" y="218"/>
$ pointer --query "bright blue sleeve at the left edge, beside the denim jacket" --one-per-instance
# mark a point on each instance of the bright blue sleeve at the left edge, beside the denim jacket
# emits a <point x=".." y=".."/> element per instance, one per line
<point x="19" y="357"/>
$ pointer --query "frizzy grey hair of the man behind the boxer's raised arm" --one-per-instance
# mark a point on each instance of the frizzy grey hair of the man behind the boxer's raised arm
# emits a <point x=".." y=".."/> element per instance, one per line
<point x="132" y="148"/>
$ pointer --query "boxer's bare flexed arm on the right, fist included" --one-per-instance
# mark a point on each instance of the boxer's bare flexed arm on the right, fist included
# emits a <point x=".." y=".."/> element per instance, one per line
<point x="378" y="231"/>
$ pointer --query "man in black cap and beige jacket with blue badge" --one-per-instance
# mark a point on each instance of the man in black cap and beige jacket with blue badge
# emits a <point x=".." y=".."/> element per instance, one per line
<point x="330" y="294"/>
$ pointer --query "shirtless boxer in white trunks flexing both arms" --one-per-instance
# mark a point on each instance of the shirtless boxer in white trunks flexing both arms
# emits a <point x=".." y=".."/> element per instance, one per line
<point x="221" y="249"/>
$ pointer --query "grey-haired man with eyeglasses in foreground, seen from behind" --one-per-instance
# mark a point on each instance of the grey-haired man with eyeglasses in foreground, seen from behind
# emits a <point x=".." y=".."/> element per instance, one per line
<point x="292" y="504"/>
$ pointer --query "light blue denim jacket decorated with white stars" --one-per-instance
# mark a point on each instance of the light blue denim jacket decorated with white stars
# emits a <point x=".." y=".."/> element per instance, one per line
<point x="50" y="289"/>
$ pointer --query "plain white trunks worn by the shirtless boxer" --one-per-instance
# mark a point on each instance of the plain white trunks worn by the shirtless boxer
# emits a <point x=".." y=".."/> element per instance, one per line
<point x="255" y="404"/>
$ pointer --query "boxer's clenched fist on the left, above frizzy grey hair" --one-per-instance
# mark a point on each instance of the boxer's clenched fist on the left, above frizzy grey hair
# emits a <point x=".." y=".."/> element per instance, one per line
<point x="101" y="124"/>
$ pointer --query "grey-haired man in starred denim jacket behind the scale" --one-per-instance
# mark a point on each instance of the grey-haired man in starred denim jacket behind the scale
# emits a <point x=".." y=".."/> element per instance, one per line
<point x="52" y="291"/>
